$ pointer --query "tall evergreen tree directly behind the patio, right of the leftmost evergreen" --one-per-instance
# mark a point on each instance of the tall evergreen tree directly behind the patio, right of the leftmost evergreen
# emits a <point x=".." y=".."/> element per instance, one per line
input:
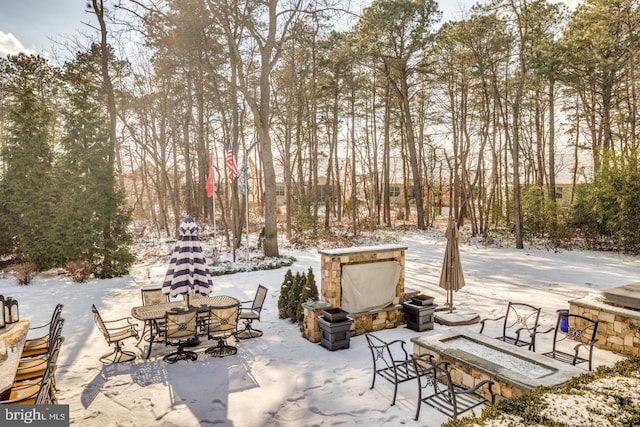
<point x="93" y="208"/>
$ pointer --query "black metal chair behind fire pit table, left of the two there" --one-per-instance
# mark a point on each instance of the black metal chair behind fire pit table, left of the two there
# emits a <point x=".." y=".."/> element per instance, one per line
<point x="519" y="325"/>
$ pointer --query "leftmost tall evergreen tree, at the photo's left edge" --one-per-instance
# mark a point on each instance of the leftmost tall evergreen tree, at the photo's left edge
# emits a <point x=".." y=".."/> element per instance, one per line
<point x="26" y="190"/>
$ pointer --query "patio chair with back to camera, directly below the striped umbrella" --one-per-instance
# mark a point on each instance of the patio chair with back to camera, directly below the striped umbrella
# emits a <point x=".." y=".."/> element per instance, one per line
<point x="180" y="330"/>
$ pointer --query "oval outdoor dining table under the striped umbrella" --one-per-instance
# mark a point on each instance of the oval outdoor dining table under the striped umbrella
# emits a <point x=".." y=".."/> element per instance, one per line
<point x="150" y="314"/>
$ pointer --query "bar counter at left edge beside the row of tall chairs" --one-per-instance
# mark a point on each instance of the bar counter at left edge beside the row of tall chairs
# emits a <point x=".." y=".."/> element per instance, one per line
<point x="12" y="339"/>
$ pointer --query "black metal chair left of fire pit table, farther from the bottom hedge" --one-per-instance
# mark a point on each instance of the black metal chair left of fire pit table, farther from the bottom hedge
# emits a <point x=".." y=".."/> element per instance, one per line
<point x="390" y="361"/>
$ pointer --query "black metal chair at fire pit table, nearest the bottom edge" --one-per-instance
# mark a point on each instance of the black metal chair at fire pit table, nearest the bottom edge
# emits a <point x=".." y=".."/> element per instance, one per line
<point x="445" y="396"/>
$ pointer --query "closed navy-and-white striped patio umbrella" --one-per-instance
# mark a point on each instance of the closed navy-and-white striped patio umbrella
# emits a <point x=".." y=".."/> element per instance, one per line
<point x="188" y="273"/>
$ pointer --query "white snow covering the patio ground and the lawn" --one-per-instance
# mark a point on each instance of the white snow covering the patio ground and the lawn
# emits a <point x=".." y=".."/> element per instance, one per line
<point x="281" y="379"/>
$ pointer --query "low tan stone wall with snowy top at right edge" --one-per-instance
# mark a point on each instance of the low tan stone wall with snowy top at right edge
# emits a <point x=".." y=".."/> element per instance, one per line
<point x="618" y="328"/>
